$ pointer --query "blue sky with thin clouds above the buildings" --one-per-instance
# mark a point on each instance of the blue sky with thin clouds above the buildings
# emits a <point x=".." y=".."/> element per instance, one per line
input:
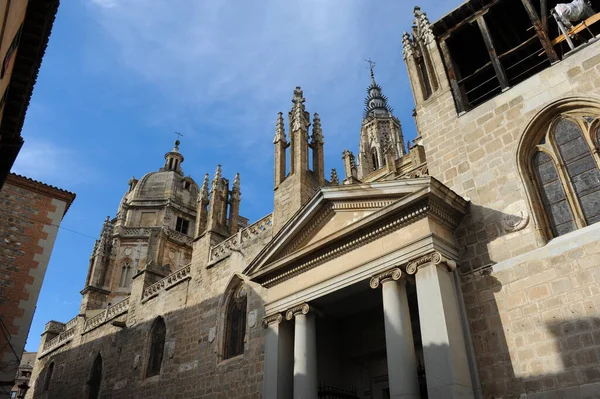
<point x="120" y="76"/>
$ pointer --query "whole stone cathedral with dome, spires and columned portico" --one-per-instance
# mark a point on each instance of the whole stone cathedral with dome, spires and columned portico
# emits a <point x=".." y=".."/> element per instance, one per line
<point x="464" y="266"/>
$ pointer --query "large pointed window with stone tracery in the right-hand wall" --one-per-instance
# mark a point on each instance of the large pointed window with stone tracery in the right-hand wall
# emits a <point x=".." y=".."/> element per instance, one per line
<point x="566" y="168"/>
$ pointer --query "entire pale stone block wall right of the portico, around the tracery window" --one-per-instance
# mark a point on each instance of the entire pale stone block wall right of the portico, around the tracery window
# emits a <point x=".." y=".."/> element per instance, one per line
<point x="533" y="306"/>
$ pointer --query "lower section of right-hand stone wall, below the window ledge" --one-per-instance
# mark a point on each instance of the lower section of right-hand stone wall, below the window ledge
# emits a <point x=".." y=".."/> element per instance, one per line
<point x="535" y="320"/>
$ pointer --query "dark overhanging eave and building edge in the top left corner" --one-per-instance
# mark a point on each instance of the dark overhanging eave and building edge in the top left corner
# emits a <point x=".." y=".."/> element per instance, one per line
<point x="24" y="31"/>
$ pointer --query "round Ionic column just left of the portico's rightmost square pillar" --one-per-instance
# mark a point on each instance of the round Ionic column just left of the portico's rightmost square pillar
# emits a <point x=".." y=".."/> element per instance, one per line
<point x="402" y="363"/>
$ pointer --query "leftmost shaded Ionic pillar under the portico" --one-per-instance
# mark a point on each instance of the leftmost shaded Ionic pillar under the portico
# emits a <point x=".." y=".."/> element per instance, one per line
<point x="279" y="360"/>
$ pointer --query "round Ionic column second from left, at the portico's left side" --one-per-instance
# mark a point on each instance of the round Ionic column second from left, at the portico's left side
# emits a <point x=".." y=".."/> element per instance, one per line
<point x="305" y="352"/>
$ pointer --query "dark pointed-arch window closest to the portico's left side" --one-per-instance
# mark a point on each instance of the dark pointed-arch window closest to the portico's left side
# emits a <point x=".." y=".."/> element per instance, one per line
<point x="235" y="323"/>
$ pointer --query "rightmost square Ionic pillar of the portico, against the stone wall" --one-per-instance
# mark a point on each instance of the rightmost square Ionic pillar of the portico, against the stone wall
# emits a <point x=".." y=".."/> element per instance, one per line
<point x="444" y="351"/>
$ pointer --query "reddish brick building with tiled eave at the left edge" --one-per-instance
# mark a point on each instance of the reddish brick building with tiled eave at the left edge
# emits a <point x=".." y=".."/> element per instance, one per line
<point x="30" y="215"/>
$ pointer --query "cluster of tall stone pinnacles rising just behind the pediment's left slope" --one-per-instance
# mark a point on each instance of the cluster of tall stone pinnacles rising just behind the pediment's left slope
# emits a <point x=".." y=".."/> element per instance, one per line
<point x="294" y="189"/>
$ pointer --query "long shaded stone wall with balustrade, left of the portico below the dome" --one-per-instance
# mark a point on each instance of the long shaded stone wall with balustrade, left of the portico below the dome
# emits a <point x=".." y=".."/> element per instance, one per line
<point x="193" y="311"/>
